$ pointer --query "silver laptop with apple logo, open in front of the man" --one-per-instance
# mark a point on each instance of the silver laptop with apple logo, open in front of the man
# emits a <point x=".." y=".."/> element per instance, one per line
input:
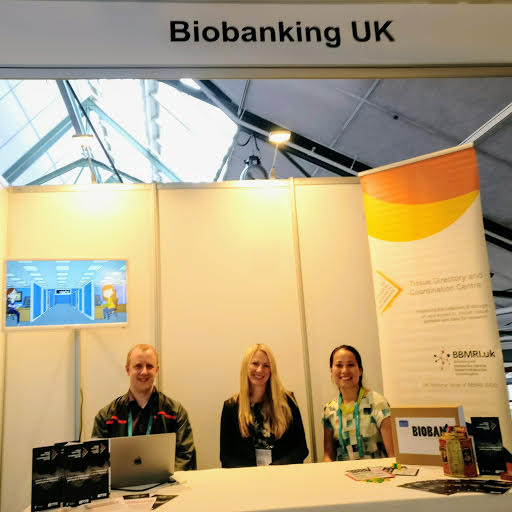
<point x="140" y="460"/>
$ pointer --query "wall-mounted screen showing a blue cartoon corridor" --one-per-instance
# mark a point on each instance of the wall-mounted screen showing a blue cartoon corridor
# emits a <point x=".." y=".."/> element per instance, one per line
<point x="65" y="292"/>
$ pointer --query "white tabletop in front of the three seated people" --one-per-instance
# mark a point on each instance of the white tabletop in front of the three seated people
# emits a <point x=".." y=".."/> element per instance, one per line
<point x="314" y="487"/>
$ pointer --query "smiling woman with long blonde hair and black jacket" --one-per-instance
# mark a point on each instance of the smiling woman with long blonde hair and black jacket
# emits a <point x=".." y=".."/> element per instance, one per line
<point x="261" y="424"/>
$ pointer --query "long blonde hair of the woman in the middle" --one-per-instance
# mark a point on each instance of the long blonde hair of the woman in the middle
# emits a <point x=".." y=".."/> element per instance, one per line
<point x="275" y="404"/>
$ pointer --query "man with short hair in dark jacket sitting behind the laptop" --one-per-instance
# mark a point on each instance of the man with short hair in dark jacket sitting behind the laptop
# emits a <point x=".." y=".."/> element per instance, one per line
<point x="144" y="410"/>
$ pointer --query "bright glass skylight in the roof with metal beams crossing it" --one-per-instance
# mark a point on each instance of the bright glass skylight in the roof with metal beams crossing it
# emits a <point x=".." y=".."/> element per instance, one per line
<point x="151" y="131"/>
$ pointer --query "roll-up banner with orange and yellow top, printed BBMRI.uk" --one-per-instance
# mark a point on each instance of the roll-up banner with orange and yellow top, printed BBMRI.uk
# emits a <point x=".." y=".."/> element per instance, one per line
<point x="436" y="318"/>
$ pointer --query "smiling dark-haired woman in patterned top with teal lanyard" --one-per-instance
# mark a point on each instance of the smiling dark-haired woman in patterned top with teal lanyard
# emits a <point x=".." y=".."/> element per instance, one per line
<point x="357" y="423"/>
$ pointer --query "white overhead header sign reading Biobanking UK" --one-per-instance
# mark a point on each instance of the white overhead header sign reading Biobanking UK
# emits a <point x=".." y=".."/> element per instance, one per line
<point x="92" y="34"/>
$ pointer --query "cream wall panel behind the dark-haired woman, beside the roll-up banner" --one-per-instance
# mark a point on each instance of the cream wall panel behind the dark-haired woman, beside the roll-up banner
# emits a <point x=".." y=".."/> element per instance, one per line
<point x="340" y="307"/>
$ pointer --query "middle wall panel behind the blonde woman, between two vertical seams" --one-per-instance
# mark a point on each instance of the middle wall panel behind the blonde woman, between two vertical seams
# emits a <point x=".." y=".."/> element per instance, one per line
<point x="228" y="280"/>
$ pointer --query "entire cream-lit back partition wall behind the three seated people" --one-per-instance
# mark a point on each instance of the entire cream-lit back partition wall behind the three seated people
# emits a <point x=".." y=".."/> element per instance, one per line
<point x="212" y="269"/>
